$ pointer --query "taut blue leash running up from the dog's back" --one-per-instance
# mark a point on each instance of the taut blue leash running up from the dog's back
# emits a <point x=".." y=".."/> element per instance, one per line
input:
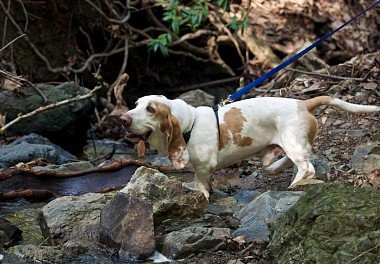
<point x="261" y="79"/>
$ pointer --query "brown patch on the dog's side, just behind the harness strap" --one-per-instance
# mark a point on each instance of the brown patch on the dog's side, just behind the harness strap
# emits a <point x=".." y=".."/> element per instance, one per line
<point x="234" y="122"/>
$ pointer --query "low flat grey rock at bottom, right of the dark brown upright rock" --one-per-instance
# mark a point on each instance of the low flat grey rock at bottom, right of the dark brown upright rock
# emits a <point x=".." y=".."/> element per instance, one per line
<point x="181" y="244"/>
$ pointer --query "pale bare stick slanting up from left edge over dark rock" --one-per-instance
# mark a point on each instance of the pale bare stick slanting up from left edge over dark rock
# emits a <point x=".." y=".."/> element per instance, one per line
<point x="51" y="106"/>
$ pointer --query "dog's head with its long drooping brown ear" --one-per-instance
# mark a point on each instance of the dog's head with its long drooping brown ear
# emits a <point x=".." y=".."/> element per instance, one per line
<point x="152" y="120"/>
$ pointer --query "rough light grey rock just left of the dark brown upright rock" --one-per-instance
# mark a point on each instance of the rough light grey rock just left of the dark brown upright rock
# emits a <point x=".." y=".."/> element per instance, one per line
<point x="73" y="217"/>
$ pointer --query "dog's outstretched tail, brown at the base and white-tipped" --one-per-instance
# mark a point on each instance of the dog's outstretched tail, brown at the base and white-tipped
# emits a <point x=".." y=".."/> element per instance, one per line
<point x="311" y="104"/>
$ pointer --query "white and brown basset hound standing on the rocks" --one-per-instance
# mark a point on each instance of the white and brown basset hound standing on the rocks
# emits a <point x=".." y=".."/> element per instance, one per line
<point x="247" y="128"/>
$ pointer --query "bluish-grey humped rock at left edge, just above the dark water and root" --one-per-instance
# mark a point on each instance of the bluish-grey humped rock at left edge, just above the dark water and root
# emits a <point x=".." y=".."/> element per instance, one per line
<point x="31" y="147"/>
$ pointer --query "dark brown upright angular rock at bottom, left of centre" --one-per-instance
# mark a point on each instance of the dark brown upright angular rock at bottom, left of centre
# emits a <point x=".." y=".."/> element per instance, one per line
<point x="126" y="223"/>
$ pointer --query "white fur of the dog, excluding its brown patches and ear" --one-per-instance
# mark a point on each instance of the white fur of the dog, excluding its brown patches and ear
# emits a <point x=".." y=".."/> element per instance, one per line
<point x="269" y="121"/>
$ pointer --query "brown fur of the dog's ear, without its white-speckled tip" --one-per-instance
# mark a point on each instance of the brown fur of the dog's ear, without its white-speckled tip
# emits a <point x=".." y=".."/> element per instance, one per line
<point x="170" y="125"/>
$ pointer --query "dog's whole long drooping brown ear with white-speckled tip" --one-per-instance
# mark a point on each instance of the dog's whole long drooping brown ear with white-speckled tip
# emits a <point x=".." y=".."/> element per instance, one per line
<point x="169" y="125"/>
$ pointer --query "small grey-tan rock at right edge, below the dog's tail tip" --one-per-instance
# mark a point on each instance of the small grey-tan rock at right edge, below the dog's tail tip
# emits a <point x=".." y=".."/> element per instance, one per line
<point x="366" y="158"/>
